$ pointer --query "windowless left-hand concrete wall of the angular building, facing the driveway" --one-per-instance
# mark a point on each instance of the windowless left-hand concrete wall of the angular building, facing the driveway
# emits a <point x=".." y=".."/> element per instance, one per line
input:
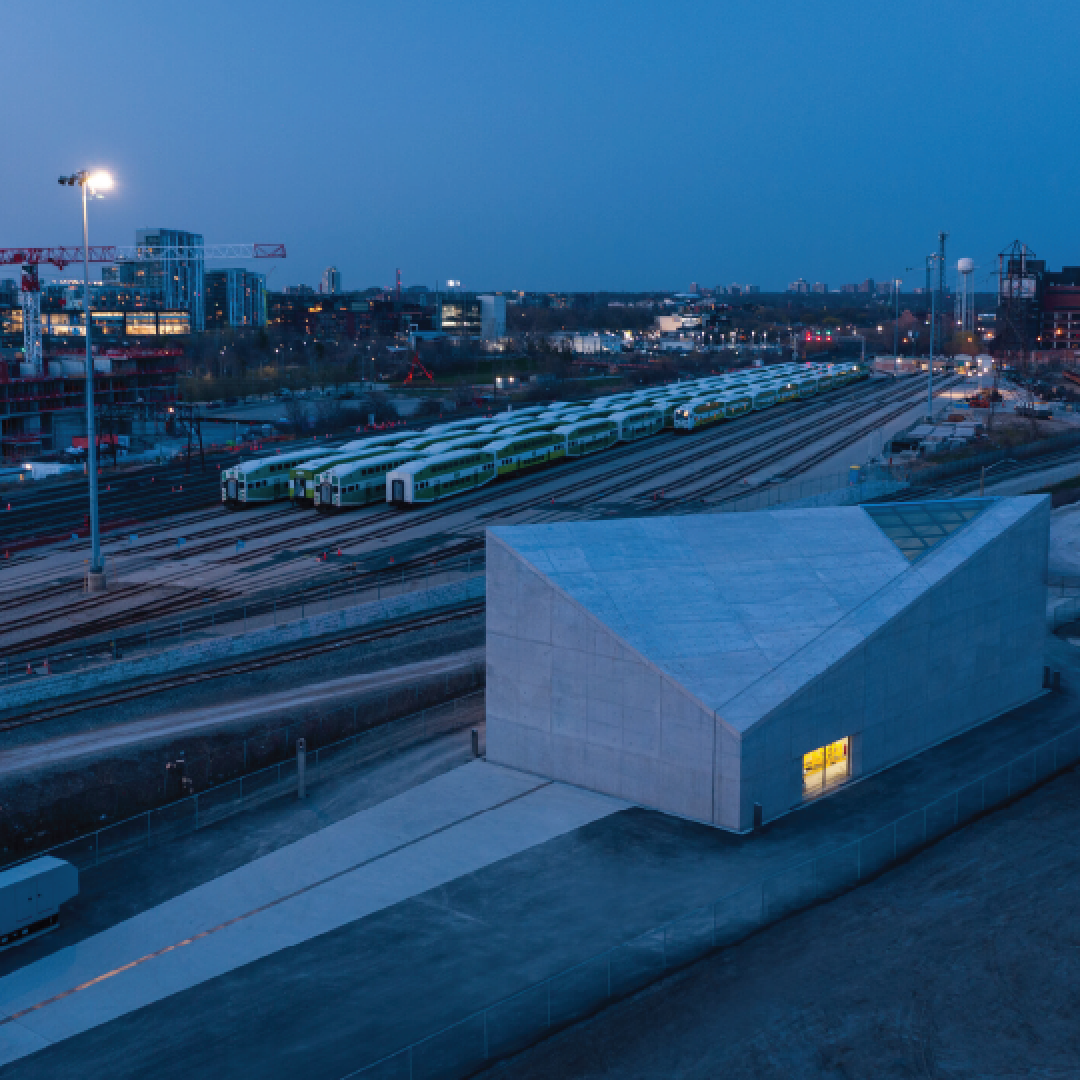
<point x="568" y="699"/>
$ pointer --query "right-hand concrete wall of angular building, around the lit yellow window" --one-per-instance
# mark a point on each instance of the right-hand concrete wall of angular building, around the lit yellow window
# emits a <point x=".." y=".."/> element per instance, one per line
<point x="968" y="649"/>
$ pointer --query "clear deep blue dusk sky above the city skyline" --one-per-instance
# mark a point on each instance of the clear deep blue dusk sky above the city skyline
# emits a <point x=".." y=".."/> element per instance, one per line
<point x="553" y="146"/>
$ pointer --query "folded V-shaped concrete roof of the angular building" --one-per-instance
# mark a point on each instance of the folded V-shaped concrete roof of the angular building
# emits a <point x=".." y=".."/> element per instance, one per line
<point x="744" y="610"/>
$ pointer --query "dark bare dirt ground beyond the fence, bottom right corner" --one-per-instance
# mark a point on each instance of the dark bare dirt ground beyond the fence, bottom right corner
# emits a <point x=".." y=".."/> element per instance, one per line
<point x="963" y="963"/>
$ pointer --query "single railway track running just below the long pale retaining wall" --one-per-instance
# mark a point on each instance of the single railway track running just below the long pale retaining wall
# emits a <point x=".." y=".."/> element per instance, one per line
<point x="241" y="668"/>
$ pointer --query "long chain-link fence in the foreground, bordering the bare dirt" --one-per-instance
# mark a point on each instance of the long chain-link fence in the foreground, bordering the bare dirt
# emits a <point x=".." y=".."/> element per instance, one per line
<point x="517" y="1022"/>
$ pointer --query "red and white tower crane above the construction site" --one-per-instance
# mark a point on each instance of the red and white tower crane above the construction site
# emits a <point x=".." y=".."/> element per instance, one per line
<point x="31" y="259"/>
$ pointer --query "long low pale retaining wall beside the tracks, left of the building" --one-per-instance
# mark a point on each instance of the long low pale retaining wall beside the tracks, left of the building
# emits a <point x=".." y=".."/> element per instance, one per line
<point x="220" y="650"/>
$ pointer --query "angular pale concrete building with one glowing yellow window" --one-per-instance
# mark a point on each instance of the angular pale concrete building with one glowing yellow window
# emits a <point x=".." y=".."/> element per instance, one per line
<point x="705" y="666"/>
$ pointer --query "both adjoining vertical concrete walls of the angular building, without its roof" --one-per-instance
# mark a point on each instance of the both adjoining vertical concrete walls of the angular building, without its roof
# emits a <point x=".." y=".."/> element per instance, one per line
<point x="949" y="644"/>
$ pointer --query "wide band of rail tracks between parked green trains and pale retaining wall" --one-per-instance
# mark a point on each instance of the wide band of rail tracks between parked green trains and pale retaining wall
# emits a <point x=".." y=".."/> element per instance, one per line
<point x="169" y="563"/>
